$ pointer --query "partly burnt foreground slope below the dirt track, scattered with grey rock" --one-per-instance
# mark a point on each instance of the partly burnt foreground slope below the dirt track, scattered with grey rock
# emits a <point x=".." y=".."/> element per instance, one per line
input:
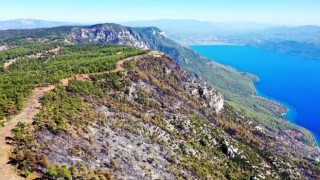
<point x="151" y="121"/>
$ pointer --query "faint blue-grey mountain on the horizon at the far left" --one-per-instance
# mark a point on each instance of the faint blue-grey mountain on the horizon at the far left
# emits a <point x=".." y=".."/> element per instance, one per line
<point x="31" y="24"/>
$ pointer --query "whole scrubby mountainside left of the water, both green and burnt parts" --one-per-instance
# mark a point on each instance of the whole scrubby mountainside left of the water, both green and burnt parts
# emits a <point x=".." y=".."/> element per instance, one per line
<point x="149" y="118"/>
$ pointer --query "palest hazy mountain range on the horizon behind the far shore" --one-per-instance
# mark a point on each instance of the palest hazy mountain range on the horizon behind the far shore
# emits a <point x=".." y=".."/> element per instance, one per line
<point x="177" y="29"/>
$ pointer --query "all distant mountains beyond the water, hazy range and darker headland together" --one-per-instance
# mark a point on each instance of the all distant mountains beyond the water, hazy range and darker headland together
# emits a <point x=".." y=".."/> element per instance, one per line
<point x="298" y="40"/>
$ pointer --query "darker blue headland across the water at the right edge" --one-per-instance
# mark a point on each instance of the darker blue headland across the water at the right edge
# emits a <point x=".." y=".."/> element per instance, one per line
<point x="303" y="41"/>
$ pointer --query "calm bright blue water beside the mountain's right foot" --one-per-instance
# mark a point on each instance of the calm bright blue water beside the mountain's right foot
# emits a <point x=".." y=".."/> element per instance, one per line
<point x="291" y="80"/>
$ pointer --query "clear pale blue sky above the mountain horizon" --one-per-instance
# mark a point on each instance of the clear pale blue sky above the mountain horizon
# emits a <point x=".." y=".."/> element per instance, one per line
<point x="296" y="12"/>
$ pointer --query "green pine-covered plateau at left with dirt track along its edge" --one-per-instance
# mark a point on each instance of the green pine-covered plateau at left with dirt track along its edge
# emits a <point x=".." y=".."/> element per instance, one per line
<point x="13" y="91"/>
